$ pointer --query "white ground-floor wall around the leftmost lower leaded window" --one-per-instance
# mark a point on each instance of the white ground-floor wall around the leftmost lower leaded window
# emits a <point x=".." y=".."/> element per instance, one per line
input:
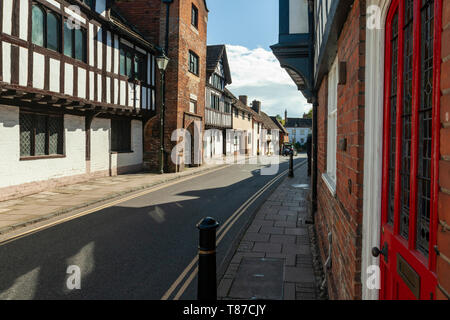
<point x="16" y="172"/>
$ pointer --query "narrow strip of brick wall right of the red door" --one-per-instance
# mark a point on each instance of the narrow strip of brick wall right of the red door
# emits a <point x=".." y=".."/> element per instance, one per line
<point x="443" y="237"/>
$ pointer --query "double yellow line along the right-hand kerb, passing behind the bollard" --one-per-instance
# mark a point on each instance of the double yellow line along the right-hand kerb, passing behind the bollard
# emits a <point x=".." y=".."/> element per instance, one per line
<point x="221" y="233"/>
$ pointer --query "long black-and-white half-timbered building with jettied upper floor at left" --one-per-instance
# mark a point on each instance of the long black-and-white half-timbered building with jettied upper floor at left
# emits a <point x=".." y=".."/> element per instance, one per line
<point x="77" y="82"/>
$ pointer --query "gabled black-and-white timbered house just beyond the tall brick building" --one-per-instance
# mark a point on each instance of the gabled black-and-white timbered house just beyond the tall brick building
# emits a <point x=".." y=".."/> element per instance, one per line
<point x="218" y="103"/>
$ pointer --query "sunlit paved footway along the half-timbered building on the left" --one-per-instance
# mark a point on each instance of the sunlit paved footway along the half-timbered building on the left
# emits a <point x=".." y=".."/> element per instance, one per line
<point x="31" y="209"/>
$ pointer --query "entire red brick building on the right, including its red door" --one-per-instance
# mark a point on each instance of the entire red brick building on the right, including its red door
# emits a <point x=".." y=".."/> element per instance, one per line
<point x="381" y="182"/>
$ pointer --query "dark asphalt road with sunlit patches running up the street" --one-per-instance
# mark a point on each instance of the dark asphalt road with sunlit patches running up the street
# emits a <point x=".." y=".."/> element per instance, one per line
<point x="134" y="250"/>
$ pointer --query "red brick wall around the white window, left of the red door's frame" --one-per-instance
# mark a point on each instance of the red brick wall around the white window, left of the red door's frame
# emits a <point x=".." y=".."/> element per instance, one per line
<point x="342" y="215"/>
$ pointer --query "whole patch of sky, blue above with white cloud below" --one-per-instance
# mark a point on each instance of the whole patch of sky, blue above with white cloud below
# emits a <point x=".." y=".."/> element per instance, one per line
<point x="249" y="28"/>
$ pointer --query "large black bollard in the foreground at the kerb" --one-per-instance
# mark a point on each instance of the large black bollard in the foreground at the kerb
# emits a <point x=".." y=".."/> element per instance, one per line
<point x="207" y="279"/>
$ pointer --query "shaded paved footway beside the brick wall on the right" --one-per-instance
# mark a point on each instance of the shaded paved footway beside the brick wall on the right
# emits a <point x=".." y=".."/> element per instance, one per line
<point x="274" y="258"/>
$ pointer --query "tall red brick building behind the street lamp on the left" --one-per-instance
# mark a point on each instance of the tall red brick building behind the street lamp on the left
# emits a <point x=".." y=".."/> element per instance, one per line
<point x="186" y="72"/>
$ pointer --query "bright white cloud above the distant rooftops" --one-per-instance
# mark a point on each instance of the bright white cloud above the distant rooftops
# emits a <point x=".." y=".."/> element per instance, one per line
<point x="257" y="74"/>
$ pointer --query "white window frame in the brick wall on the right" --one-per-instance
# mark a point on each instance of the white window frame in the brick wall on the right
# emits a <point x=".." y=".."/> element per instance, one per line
<point x="330" y="176"/>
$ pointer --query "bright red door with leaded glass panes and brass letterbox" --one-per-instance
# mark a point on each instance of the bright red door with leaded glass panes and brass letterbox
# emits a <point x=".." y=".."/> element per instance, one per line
<point x="411" y="150"/>
